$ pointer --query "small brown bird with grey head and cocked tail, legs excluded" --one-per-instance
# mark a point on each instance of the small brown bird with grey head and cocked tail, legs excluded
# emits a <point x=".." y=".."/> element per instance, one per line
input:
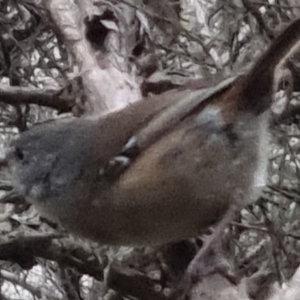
<point x="160" y="170"/>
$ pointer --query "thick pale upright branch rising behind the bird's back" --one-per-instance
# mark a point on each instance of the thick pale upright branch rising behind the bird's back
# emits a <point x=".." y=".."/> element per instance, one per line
<point x="107" y="87"/>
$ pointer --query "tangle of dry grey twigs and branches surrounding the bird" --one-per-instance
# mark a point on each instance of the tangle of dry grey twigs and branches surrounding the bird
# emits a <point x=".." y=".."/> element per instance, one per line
<point x="59" y="58"/>
